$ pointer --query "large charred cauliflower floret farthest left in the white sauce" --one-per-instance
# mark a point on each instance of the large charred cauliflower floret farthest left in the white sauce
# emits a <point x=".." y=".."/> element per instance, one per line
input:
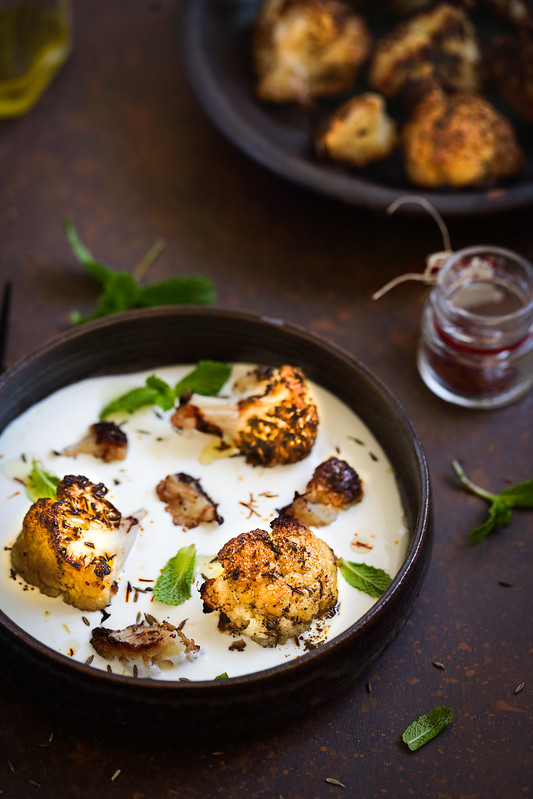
<point x="74" y="545"/>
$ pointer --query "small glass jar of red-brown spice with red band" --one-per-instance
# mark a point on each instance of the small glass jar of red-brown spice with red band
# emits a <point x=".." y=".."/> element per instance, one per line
<point x="476" y="343"/>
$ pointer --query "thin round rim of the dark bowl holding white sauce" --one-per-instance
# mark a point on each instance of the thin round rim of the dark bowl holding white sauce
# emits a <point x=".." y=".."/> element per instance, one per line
<point x="420" y="534"/>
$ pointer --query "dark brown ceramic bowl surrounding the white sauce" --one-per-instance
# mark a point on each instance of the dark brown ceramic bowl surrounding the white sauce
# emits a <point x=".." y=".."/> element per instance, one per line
<point x="150" y="338"/>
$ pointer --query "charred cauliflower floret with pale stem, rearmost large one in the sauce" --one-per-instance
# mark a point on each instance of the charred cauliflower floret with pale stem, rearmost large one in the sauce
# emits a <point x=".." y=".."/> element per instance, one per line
<point x="272" y="418"/>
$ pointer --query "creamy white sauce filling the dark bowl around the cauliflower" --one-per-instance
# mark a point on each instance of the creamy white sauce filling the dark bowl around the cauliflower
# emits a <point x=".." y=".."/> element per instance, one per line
<point x="373" y="531"/>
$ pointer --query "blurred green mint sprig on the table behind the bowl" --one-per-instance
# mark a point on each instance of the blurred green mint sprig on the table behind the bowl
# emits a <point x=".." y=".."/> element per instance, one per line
<point x="122" y="290"/>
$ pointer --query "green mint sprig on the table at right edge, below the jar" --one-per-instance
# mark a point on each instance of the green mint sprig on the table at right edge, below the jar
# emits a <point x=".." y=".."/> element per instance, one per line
<point x="500" y="505"/>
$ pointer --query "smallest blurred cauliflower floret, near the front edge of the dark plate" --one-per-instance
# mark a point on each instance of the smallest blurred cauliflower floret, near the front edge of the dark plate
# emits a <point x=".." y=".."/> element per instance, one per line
<point x="359" y="132"/>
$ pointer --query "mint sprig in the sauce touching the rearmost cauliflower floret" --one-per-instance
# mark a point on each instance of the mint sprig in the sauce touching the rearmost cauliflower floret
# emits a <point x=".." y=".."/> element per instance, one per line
<point x="207" y="379"/>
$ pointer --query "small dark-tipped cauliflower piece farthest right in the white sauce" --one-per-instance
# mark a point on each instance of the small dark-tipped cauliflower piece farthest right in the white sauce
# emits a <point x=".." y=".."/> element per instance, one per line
<point x="334" y="487"/>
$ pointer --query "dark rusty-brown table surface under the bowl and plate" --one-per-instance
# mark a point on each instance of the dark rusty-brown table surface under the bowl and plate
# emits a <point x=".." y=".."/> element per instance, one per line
<point x="119" y="144"/>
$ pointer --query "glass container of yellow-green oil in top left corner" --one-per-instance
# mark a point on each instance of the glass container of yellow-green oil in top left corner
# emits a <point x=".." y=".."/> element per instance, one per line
<point x="35" y="41"/>
